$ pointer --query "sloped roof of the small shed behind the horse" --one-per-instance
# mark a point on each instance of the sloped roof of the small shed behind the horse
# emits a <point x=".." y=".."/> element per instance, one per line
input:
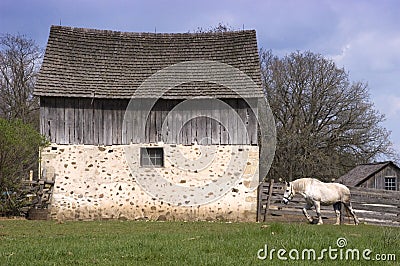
<point x="362" y="173"/>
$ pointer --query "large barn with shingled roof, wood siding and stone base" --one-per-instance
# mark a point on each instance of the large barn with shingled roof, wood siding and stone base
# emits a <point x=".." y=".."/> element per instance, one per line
<point x="151" y="126"/>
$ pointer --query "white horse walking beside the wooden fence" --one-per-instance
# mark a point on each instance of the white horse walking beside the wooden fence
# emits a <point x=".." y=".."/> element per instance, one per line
<point x="317" y="193"/>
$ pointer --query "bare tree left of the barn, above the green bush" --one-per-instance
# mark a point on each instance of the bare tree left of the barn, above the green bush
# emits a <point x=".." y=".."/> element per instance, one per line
<point x="20" y="60"/>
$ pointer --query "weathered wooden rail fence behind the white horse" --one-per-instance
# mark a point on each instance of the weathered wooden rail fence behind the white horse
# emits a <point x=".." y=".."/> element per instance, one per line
<point x="372" y="206"/>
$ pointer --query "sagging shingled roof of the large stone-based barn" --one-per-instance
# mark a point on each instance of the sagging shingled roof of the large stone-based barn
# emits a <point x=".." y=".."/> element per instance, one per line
<point x="110" y="64"/>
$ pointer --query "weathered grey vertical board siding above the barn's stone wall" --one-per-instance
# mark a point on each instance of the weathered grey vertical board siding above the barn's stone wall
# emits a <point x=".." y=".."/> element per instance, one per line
<point x="100" y="122"/>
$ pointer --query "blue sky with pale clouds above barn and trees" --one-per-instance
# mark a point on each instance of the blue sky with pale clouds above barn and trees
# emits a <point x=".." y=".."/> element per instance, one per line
<point x="361" y="36"/>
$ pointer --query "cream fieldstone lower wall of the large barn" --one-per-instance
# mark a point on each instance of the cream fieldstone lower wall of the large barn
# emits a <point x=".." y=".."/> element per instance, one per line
<point x="196" y="182"/>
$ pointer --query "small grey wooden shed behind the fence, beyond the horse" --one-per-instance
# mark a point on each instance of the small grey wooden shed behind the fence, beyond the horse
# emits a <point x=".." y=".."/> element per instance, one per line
<point x="380" y="175"/>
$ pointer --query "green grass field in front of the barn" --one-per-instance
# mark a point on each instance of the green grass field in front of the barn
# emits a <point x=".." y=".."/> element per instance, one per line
<point x="193" y="243"/>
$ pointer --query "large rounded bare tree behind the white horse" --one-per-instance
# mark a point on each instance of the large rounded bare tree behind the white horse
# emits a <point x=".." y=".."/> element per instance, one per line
<point x="325" y="123"/>
